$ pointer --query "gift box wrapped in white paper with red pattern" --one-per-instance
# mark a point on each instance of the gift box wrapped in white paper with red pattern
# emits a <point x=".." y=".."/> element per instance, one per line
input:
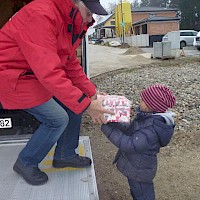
<point x="120" y="105"/>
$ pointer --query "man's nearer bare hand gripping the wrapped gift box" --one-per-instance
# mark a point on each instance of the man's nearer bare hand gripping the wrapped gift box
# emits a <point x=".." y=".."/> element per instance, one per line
<point x="96" y="111"/>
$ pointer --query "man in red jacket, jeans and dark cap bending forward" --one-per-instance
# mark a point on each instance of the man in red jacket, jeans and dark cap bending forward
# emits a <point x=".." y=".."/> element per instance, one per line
<point x="39" y="73"/>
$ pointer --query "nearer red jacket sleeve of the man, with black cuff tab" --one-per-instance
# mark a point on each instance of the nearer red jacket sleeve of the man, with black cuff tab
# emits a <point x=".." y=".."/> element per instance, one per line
<point x="37" y="40"/>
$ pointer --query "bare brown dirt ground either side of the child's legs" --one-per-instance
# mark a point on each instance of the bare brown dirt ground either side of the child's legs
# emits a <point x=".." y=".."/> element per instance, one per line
<point x="178" y="176"/>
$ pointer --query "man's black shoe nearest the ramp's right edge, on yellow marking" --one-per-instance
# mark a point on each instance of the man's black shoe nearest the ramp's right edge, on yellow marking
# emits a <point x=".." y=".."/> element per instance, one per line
<point x="76" y="162"/>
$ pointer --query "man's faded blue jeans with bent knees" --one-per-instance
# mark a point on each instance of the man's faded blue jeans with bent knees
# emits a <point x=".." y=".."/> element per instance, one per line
<point x="58" y="124"/>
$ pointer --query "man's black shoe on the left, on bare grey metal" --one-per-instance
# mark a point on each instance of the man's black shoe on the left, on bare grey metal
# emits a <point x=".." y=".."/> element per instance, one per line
<point x="31" y="175"/>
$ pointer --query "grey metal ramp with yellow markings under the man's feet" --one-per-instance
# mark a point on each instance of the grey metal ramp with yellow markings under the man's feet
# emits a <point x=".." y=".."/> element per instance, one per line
<point x="63" y="184"/>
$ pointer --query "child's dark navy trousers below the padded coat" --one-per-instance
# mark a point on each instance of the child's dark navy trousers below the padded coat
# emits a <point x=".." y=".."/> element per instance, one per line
<point x="141" y="191"/>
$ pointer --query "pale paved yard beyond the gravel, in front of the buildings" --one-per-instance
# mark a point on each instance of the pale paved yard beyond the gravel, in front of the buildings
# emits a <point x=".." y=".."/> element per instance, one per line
<point x="103" y="59"/>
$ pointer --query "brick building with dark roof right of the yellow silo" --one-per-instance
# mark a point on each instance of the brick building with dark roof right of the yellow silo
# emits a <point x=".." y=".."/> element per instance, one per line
<point x="155" y="22"/>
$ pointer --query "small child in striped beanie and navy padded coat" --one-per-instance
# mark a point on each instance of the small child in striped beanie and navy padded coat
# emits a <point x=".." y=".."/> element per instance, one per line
<point x="140" y="141"/>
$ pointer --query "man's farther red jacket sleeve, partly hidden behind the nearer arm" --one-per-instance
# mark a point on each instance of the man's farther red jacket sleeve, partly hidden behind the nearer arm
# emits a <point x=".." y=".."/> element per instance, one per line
<point x="75" y="73"/>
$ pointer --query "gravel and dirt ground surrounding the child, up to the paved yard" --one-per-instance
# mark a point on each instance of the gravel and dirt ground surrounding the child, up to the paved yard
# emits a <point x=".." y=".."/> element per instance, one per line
<point x="179" y="164"/>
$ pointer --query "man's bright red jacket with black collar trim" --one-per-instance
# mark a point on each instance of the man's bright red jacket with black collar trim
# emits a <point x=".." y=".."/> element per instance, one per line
<point x="38" y="57"/>
